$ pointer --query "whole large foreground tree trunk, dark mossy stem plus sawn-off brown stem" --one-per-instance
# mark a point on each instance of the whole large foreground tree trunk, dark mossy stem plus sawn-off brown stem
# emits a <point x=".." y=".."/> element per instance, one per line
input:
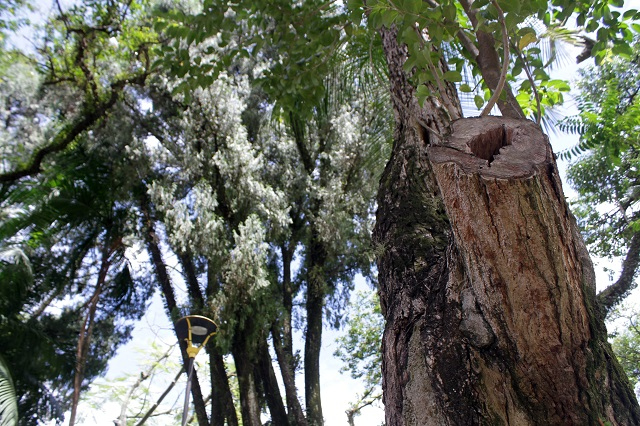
<point x="485" y="282"/>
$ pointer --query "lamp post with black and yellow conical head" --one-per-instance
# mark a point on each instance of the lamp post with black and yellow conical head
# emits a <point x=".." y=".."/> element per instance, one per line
<point x="193" y="329"/>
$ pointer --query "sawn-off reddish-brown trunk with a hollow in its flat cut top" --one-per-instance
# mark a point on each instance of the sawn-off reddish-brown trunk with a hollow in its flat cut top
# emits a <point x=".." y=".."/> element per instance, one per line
<point x="528" y="286"/>
